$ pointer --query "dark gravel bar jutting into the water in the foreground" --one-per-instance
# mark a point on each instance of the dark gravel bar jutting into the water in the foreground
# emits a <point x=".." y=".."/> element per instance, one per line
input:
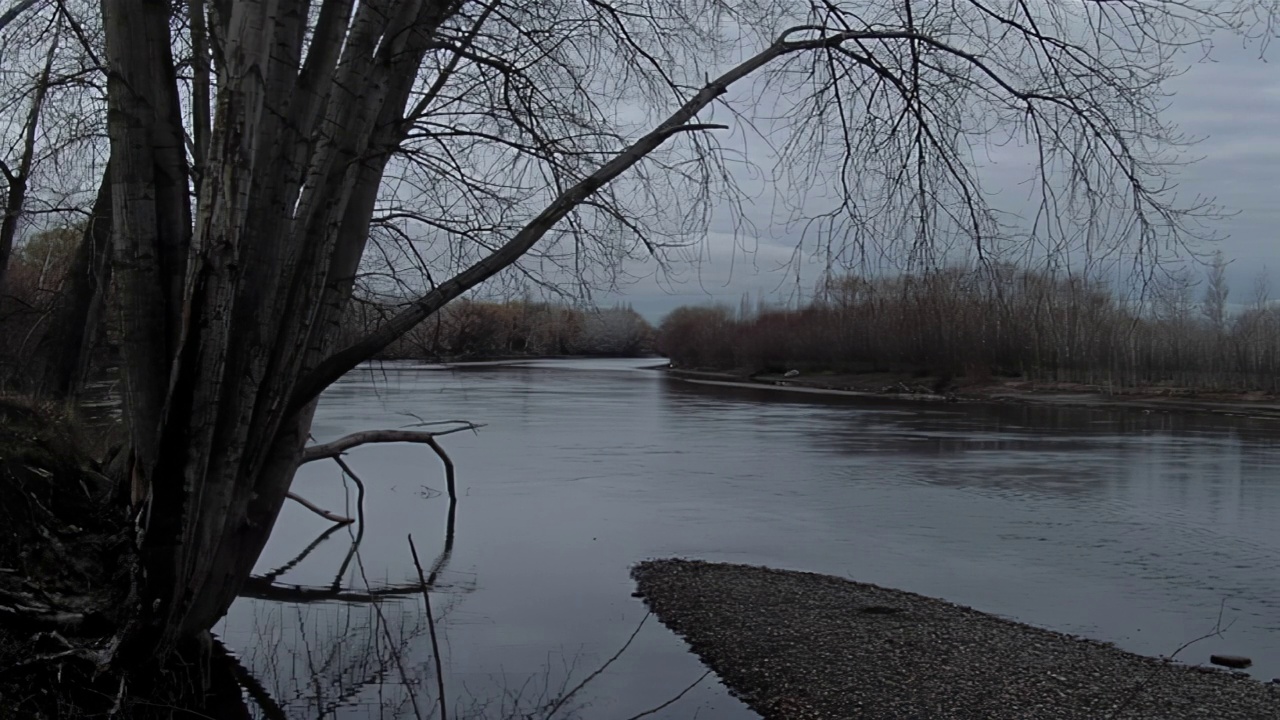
<point x="802" y="646"/>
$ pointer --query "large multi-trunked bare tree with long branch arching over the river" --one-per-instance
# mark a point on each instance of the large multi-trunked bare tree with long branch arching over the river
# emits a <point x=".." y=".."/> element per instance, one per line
<point x="551" y="140"/>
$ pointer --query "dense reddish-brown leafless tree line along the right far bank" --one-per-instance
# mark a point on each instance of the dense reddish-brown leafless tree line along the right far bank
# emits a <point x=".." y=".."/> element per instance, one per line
<point x="1000" y="322"/>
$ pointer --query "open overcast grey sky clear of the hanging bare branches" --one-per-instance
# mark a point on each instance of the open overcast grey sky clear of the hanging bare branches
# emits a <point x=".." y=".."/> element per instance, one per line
<point x="1231" y="102"/>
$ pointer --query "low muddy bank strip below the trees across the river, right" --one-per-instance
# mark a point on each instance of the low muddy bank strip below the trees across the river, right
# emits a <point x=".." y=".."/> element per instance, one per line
<point x="996" y="390"/>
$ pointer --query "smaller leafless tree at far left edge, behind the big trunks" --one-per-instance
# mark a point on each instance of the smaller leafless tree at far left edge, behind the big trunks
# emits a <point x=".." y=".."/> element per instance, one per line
<point x="53" y="80"/>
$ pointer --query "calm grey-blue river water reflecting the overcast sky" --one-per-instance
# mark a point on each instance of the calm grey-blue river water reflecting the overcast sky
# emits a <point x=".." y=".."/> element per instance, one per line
<point x="1128" y="527"/>
